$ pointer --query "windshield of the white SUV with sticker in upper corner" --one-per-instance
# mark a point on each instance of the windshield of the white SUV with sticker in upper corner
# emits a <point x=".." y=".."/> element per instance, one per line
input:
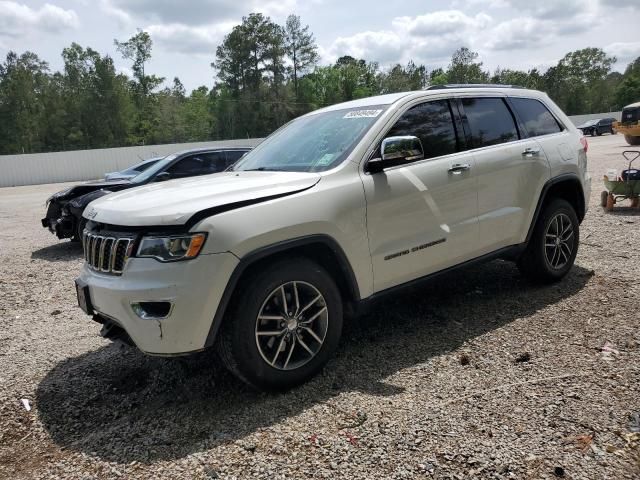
<point x="312" y="143"/>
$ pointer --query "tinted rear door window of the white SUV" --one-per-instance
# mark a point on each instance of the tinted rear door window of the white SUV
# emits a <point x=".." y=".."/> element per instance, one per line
<point x="490" y="121"/>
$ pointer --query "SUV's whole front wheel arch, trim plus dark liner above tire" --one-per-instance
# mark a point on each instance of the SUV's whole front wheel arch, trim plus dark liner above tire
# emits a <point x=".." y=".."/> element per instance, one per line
<point x="320" y="248"/>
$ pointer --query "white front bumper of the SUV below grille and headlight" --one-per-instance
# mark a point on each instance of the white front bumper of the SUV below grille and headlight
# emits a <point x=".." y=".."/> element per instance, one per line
<point x="194" y="289"/>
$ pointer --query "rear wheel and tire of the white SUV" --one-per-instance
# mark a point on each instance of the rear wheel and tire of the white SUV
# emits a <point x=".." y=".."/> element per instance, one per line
<point x="553" y="246"/>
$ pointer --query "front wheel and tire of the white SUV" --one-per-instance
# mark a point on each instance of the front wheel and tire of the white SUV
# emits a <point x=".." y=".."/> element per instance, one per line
<point x="284" y="327"/>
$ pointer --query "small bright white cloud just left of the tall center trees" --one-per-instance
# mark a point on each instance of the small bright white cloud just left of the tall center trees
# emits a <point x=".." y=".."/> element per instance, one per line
<point x="189" y="40"/>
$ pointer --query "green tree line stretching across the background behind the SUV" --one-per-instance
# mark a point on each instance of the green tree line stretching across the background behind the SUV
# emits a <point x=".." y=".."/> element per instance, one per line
<point x="267" y="74"/>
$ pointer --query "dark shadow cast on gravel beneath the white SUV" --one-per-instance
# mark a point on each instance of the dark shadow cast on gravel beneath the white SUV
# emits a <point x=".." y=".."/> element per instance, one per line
<point x="119" y="405"/>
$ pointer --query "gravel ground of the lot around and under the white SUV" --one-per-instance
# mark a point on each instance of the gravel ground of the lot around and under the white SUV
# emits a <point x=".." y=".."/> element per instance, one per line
<point x="479" y="375"/>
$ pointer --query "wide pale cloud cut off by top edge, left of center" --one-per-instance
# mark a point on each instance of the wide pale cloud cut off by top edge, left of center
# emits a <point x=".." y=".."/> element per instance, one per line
<point x="195" y="13"/>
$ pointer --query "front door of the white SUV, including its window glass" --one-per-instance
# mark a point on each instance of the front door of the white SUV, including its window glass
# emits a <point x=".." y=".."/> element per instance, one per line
<point x="421" y="217"/>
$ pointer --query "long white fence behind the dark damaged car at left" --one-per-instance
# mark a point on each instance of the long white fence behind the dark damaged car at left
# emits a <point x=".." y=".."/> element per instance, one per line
<point x="38" y="168"/>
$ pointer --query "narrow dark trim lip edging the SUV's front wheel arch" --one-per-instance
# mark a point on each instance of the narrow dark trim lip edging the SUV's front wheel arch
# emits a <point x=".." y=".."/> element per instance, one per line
<point x="264" y="252"/>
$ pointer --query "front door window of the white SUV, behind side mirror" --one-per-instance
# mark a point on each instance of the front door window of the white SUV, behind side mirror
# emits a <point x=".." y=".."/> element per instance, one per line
<point x="432" y="123"/>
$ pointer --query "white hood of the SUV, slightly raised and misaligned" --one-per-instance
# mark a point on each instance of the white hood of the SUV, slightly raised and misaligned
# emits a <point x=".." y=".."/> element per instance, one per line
<point x="175" y="202"/>
